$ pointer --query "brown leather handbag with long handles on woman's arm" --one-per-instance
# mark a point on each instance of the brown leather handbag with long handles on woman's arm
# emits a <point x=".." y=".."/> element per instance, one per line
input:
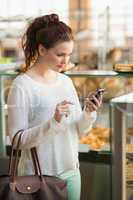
<point x="32" y="187"/>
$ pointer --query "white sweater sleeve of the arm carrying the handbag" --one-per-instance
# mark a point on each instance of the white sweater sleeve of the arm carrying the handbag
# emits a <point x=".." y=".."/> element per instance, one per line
<point x="18" y="111"/>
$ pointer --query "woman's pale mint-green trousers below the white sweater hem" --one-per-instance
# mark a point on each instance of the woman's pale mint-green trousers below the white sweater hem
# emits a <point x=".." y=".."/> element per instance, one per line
<point x="73" y="183"/>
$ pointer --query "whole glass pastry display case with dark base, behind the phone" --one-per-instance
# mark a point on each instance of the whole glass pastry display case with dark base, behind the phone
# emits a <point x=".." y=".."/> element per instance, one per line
<point x="95" y="152"/>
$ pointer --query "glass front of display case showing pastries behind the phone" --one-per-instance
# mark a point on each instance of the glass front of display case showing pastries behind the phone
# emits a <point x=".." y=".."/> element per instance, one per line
<point x="98" y="139"/>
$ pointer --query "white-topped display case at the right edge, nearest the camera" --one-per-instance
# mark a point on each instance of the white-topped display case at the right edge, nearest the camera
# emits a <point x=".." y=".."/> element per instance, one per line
<point x="122" y="147"/>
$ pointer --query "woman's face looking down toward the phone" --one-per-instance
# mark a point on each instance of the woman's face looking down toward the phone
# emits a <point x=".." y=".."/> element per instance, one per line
<point x="57" y="58"/>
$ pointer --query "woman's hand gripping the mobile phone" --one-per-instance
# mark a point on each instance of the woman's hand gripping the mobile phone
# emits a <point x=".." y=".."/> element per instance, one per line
<point x="92" y="103"/>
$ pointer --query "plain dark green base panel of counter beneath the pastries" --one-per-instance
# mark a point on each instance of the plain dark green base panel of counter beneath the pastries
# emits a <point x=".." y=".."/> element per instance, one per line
<point x="95" y="170"/>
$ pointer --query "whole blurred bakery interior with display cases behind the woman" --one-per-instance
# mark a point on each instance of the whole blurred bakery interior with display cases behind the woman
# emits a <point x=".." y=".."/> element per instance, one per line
<point x="102" y="58"/>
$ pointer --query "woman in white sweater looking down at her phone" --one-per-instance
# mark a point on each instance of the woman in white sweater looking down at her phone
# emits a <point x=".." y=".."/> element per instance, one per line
<point x="44" y="103"/>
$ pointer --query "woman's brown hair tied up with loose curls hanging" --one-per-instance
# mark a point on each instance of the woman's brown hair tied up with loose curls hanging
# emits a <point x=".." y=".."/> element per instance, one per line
<point x="47" y="30"/>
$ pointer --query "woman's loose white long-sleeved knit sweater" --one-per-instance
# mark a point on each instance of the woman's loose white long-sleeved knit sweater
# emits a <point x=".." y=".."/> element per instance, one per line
<point x="31" y="106"/>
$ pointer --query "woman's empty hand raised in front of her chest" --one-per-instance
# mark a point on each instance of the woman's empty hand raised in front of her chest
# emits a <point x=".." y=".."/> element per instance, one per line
<point x="61" y="110"/>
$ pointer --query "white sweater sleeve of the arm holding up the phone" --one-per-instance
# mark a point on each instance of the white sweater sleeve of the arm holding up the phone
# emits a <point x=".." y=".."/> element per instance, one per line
<point x="84" y="120"/>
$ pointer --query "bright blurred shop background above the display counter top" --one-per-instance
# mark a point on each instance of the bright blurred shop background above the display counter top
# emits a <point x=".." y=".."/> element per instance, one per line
<point x="103" y="29"/>
